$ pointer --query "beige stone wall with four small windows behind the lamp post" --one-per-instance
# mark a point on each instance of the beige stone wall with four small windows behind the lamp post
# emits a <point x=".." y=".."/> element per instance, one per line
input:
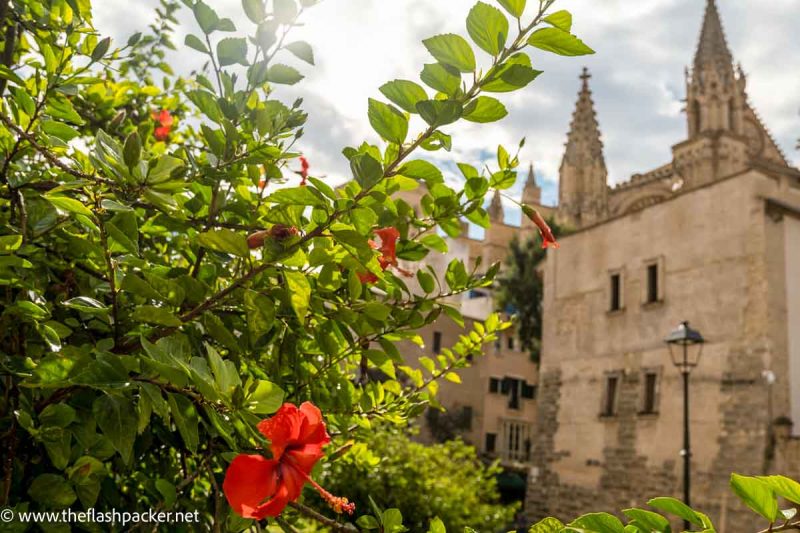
<point x="711" y="244"/>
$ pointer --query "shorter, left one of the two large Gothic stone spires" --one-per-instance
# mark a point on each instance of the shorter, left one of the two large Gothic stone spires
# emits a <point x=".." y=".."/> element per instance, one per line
<point x="583" y="191"/>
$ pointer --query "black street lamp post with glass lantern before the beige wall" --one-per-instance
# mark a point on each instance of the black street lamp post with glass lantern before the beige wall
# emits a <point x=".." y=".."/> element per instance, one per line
<point x="679" y="341"/>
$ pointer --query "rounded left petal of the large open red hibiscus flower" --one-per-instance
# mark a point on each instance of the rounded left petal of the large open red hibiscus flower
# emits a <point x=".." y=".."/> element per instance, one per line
<point x="248" y="481"/>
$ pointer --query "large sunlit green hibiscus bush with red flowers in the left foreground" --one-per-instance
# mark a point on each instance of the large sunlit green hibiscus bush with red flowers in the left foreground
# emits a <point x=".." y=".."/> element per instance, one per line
<point x="174" y="271"/>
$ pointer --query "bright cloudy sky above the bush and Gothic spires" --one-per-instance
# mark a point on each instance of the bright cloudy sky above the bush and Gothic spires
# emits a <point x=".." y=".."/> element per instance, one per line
<point x="637" y="79"/>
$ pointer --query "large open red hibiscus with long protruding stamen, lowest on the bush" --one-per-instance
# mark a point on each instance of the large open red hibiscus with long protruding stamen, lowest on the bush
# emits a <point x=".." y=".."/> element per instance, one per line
<point x="257" y="487"/>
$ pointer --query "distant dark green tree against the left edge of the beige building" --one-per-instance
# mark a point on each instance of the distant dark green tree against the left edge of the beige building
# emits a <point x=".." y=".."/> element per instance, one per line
<point x="520" y="289"/>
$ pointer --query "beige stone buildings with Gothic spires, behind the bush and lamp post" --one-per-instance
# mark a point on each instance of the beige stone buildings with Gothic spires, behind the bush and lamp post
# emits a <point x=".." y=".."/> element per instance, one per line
<point x="713" y="237"/>
